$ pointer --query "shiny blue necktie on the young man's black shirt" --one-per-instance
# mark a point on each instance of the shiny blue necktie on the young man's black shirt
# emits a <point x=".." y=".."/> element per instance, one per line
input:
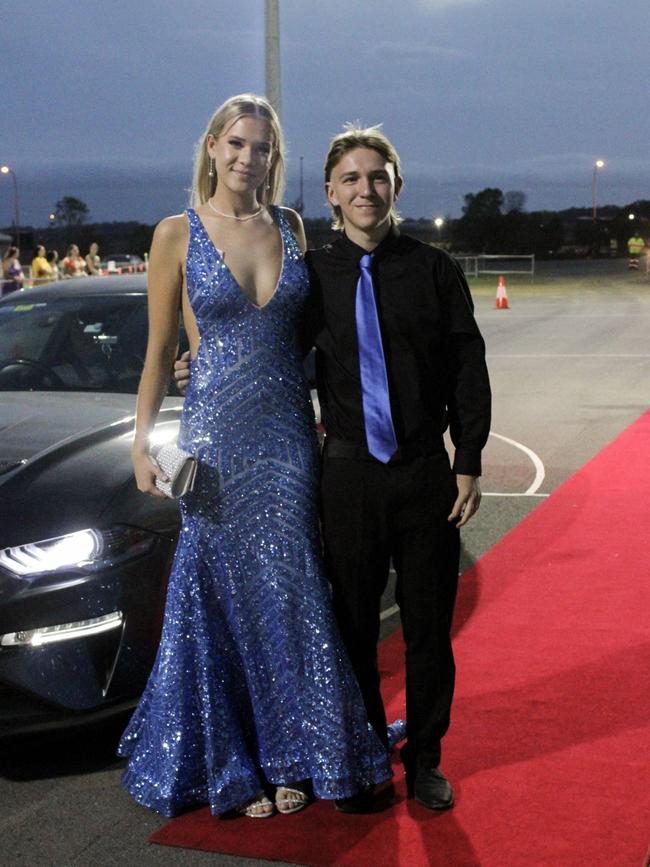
<point x="380" y="433"/>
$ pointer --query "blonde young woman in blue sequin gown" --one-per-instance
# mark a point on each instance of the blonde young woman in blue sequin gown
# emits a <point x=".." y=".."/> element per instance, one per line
<point x="251" y="688"/>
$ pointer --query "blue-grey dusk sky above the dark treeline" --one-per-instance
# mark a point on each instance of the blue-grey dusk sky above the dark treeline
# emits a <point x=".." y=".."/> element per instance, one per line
<point x="105" y="101"/>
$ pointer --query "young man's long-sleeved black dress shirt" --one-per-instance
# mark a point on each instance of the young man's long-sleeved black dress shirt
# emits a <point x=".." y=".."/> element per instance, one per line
<point x="435" y="355"/>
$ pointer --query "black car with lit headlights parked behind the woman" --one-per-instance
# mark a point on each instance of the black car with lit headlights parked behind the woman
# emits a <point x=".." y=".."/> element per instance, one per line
<point x="84" y="557"/>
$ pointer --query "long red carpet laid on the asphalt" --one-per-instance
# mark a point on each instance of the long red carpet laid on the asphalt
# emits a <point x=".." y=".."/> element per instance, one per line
<point x="549" y="745"/>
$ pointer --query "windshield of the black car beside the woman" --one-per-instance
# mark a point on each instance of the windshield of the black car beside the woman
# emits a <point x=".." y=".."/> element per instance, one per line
<point x="93" y="343"/>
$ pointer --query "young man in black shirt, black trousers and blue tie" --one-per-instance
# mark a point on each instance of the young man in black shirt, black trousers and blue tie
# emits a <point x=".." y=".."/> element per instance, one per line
<point x="407" y="505"/>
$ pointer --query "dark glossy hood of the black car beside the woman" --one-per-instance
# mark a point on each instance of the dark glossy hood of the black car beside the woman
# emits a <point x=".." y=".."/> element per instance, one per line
<point x="65" y="464"/>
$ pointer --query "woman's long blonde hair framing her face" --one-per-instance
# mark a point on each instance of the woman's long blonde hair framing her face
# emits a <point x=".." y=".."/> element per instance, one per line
<point x="244" y="104"/>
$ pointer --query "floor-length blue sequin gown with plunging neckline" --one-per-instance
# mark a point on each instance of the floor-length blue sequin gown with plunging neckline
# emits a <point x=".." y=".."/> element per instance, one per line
<point x="251" y="684"/>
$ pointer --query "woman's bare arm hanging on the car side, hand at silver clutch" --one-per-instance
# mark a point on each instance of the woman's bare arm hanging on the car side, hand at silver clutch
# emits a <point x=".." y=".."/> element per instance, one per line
<point x="165" y="279"/>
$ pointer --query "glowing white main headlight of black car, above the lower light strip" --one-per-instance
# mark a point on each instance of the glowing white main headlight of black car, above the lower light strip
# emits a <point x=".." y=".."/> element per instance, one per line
<point x="83" y="551"/>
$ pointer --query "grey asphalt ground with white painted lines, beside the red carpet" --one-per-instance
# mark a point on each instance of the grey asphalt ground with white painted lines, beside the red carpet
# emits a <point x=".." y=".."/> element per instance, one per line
<point x="570" y="366"/>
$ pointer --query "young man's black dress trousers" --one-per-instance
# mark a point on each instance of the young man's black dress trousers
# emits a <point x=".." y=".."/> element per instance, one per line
<point x="373" y="513"/>
